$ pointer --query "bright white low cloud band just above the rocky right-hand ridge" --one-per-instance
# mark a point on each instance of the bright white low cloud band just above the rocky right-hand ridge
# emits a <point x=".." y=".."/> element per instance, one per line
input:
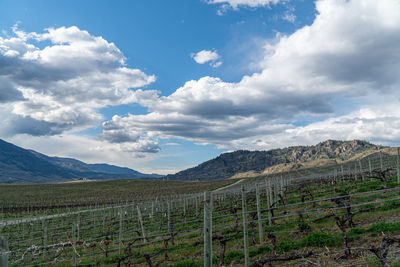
<point x="378" y="124"/>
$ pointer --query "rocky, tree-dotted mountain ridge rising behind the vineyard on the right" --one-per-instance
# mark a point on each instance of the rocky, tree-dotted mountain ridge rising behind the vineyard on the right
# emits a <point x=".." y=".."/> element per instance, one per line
<point x="229" y="164"/>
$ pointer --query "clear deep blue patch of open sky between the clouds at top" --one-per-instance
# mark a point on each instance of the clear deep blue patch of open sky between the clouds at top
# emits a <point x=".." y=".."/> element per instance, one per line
<point x="159" y="36"/>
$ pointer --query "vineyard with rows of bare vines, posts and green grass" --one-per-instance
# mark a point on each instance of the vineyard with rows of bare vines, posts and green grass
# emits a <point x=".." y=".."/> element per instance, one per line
<point x="338" y="215"/>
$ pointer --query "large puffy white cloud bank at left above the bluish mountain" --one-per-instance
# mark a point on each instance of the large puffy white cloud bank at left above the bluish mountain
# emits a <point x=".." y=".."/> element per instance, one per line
<point x="57" y="80"/>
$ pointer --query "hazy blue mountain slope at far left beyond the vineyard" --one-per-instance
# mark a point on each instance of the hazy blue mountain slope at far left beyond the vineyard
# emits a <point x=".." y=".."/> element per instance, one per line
<point x="22" y="165"/>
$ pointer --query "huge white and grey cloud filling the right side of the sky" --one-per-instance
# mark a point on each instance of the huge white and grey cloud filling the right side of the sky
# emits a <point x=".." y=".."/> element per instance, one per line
<point x="349" y="53"/>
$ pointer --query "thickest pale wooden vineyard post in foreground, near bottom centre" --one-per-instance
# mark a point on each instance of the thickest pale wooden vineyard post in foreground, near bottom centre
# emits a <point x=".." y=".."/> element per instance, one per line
<point x="207" y="230"/>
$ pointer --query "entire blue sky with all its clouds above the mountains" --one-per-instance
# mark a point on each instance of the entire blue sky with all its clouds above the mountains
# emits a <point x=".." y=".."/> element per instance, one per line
<point x="160" y="86"/>
